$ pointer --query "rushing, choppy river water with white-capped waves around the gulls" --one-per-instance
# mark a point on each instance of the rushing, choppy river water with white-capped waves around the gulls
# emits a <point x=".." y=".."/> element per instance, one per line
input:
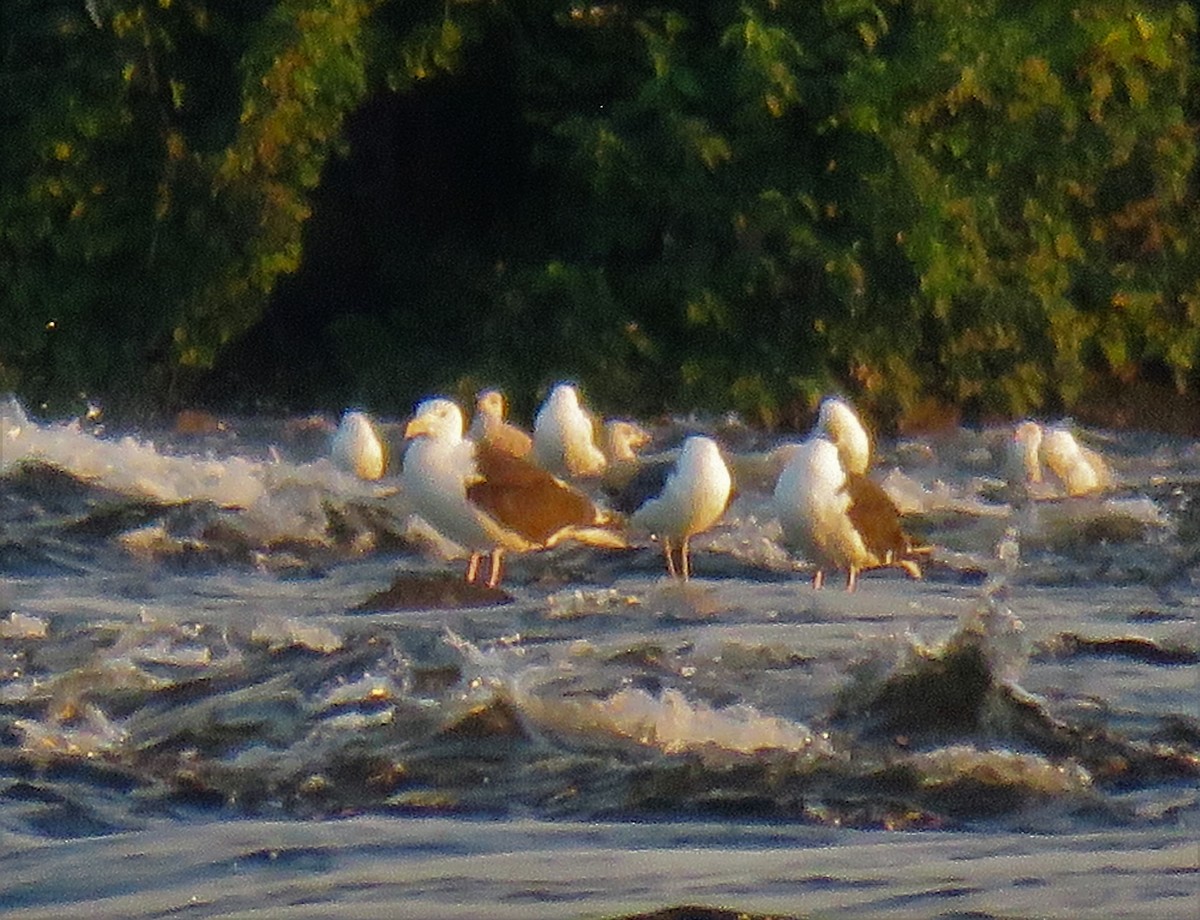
<point x="236" y="678"/>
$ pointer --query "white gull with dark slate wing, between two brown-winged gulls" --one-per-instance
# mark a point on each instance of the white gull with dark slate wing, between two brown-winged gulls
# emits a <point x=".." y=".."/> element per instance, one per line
<point x="676" y="502"/>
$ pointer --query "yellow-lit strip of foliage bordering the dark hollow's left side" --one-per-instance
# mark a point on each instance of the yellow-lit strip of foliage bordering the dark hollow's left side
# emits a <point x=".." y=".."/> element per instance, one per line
<point x="304" y="71"/>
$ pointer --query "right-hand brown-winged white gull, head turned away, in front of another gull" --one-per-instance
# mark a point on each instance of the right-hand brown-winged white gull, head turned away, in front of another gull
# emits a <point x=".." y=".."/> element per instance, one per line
<point x="839" y="519"/>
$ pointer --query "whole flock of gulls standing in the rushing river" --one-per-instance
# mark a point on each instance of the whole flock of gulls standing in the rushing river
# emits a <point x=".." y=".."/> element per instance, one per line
<point x="495" y="489"/>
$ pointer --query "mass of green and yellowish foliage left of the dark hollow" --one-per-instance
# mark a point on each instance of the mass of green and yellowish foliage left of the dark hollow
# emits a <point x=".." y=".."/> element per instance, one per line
<point x="149" y="206"/>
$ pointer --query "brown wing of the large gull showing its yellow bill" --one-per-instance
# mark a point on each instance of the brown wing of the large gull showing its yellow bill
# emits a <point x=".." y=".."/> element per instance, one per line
<point x="525" y="498"/>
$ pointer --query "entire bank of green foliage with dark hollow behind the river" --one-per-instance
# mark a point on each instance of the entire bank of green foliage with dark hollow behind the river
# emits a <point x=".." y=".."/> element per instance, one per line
<point x="723" y="206"/>
